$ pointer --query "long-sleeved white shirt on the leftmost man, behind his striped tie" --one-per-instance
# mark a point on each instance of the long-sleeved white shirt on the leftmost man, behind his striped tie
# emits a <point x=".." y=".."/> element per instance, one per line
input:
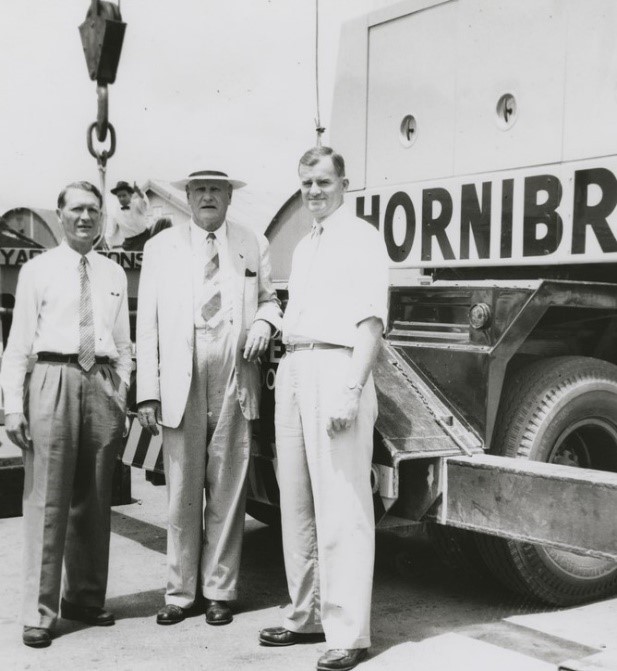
<point x="46" y="316"/>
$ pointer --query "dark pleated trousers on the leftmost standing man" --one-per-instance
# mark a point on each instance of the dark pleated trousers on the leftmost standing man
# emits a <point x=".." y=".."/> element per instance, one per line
<point x="76" y="423"/>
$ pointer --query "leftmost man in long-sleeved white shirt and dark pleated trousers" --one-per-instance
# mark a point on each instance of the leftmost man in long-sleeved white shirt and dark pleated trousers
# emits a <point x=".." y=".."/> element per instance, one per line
<point x="68" y="415"/>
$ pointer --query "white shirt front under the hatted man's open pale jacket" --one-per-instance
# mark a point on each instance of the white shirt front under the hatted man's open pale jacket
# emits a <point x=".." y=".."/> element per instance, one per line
<point x="199" y="255"/>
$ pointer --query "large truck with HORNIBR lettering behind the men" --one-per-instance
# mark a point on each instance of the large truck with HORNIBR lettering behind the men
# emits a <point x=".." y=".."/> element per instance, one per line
<point x="479" y="139"/>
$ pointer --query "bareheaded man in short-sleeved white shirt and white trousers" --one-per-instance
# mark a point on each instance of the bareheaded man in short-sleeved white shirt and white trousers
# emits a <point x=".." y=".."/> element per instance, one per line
<point x="325" y="411"/>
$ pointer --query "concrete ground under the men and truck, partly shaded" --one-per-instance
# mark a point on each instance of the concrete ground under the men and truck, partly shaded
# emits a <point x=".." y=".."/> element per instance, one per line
<point x="425" y="617"/>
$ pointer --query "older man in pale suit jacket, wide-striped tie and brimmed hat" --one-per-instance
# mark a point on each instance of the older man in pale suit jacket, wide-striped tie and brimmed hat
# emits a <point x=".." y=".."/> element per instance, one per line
<point x="207" y="310"/>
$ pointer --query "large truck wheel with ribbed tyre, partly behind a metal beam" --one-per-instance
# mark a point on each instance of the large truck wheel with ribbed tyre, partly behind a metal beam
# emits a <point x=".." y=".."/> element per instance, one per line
<point x="563" y="411"/>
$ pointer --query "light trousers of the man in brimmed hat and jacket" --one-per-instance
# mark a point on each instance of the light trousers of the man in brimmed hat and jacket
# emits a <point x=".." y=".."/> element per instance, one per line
<point x="208" y="451"/>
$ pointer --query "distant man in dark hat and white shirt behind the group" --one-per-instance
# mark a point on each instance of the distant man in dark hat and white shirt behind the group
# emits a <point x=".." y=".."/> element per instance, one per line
<point x="127" y="227"/>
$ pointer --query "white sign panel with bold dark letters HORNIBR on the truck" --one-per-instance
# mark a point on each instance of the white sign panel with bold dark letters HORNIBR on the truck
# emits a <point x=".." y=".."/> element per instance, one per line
<point x="546" y="215"/>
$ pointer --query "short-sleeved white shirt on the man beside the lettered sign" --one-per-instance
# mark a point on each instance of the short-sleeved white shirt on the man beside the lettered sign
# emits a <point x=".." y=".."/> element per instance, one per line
<point x="337" y="280"/>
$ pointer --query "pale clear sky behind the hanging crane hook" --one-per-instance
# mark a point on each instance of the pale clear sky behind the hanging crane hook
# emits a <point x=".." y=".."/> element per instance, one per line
<point x="200" y="85"/>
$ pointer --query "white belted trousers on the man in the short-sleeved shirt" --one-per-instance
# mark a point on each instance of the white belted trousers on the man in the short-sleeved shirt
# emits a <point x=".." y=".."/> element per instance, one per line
<point x="326" y="499"/>
